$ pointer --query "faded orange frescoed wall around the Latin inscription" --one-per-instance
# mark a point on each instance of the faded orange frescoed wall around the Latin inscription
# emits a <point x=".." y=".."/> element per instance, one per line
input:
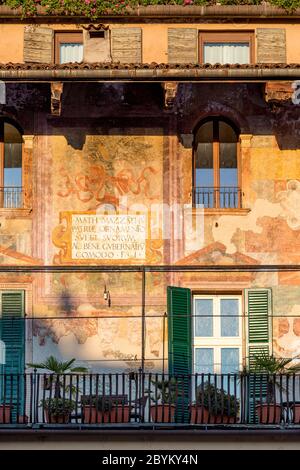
<point x="108" y="156"/>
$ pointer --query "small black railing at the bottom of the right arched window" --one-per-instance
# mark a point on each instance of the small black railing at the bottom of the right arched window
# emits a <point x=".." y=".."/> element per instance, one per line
<point x="226" y="197"/>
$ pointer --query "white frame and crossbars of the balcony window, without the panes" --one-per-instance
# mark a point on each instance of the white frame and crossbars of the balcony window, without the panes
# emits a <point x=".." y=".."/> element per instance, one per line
<point x="218" y="342"/>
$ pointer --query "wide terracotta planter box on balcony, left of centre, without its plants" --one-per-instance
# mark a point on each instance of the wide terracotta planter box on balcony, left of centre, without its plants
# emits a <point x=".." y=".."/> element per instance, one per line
<point x="117" y="414"/>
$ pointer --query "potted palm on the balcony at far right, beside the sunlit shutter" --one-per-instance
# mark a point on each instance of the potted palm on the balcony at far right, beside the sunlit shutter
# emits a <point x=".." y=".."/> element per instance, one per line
<point x="268" y="367"/>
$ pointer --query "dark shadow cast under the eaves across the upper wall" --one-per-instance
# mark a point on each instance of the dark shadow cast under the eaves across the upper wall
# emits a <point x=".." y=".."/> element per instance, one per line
<point x="138" y="109"/>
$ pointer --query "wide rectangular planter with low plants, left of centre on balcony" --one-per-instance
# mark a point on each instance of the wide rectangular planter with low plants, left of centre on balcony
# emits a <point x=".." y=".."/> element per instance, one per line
<point x="105" y="409"/>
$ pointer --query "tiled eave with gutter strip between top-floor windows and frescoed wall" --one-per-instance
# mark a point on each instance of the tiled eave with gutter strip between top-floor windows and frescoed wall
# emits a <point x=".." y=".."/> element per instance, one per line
<point x="148" y="72"/>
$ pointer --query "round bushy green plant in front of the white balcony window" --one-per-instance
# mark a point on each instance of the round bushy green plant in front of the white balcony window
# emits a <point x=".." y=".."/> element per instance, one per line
<point x="216" y="400"/>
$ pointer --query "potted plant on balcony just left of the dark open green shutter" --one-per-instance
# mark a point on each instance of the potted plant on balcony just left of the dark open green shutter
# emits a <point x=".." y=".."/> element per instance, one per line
<point x="164" y="400"/>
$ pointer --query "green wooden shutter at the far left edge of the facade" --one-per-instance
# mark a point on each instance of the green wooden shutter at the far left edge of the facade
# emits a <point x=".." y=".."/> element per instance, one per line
<point x="12" y="333"/>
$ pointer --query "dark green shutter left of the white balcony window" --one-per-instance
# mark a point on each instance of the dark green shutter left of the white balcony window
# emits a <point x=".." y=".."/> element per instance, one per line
<point x="180" y="345"/>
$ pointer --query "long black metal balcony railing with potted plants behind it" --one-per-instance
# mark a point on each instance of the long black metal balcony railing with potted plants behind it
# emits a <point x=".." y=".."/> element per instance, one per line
<point x="137" y="399"/>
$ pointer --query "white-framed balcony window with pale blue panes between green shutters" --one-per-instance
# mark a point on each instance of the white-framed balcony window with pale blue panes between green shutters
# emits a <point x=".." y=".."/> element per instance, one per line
<point x="217" y="334"/>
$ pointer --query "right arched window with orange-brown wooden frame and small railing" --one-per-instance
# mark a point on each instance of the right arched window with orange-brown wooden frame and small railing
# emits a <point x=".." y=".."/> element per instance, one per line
<point x="216" y="166"/>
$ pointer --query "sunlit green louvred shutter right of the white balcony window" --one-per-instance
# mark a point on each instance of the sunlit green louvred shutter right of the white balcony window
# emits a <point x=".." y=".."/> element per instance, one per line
<point x="258" y="313"/>
